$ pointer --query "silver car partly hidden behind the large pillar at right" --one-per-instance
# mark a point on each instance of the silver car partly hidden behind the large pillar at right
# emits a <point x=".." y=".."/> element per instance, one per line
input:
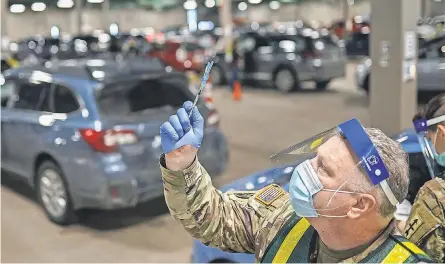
<point x="430" y="67"/>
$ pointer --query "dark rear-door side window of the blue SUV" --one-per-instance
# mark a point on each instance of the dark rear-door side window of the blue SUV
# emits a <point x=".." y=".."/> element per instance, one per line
<point x="32" y="96"/>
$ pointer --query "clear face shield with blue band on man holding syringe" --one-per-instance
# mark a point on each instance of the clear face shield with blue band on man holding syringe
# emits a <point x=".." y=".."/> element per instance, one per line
<point x="330" y="165"/>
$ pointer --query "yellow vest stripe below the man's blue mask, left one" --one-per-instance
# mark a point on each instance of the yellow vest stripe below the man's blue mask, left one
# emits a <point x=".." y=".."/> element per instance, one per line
<point x="291" y="241"/>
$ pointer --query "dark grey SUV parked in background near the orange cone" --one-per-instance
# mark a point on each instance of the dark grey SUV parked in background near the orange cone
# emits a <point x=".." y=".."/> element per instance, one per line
<point x="286" y="60"/>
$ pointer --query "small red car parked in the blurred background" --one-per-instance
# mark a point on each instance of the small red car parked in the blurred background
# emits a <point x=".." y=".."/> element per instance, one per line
<point x="181" y="55"/>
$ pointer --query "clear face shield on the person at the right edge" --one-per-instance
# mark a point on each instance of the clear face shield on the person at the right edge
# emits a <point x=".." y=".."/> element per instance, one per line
<point x="426" y="131"/>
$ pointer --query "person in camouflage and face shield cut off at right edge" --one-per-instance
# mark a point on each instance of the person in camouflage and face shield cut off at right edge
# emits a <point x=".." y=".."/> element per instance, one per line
<point x="426" y="224"/>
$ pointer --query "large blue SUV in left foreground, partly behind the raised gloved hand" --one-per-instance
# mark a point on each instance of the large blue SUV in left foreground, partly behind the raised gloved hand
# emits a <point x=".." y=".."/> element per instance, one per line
<point x="85" y="133"/>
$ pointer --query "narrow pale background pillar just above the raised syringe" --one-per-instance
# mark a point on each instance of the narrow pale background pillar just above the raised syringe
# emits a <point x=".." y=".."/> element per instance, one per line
<point x="225" y="17"/>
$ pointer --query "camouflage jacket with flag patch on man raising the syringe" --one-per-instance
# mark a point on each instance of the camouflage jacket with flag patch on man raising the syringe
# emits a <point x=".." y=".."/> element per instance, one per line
<point x="244" y="222"/>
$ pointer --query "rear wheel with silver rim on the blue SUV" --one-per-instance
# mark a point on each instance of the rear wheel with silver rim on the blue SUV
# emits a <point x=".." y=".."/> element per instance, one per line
<point x="51" y="185"/>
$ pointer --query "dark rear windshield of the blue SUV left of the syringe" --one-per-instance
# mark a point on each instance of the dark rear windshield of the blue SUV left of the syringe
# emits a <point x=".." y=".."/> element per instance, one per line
<point x="125" y="99"/>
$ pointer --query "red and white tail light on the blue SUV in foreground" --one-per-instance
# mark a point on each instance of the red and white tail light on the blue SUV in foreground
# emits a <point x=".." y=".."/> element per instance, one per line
<point x="107" y="141"/>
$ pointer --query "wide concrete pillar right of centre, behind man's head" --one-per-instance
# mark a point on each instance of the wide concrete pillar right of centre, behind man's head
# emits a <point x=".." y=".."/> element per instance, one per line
<point x="393" y="93"/>
